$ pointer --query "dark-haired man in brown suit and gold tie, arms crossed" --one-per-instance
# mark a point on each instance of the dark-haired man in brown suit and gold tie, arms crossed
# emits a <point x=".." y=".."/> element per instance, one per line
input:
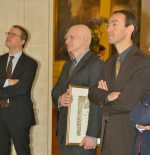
<point x="120" y="89"/>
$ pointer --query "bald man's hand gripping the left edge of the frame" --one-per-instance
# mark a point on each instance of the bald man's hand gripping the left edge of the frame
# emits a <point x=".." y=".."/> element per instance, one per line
<point x="65" y="99"/>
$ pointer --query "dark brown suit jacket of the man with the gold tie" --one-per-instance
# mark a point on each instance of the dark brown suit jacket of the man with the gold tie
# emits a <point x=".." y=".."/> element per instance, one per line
<point x="131" y="81"/>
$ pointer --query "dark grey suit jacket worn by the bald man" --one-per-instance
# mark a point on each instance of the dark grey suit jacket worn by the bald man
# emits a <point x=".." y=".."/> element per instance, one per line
<point x="86" y="73"/>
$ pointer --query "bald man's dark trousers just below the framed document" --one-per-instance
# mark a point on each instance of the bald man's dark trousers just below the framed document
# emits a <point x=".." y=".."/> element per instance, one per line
<point x="75" y="150"/>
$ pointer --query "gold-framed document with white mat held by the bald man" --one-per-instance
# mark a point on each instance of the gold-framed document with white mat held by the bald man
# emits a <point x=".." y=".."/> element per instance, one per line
<point x="78" y="113"/>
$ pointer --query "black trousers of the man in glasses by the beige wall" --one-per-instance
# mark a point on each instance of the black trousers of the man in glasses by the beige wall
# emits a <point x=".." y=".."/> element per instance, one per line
<point x="10" y="129"/>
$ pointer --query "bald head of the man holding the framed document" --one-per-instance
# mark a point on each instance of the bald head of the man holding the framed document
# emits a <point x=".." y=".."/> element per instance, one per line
<point x="78" y="39"/>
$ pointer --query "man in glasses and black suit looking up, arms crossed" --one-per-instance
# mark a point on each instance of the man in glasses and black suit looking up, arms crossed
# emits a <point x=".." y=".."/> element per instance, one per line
<point x="16" y="109"/>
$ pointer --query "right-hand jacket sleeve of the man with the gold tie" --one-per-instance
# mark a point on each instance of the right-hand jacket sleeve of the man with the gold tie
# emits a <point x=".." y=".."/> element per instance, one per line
<point x="132" y="92"/>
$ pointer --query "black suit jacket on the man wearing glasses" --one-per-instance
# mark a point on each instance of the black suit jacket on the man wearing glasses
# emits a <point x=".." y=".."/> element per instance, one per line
<point x="19" y="94"/>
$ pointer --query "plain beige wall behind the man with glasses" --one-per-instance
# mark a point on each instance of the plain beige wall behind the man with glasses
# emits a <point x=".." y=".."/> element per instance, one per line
<point x="36" y="16"/>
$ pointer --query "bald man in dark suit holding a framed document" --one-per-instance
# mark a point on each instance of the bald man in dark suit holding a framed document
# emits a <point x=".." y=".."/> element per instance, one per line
<point x="86" y="73"/>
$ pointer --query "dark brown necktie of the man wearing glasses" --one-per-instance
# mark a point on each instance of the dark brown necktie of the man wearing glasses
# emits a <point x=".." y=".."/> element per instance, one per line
<point x="3" y="102"/>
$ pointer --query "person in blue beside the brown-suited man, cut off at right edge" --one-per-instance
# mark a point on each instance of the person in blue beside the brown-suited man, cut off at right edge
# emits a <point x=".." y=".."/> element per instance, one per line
<point x="141" y="115"/>
